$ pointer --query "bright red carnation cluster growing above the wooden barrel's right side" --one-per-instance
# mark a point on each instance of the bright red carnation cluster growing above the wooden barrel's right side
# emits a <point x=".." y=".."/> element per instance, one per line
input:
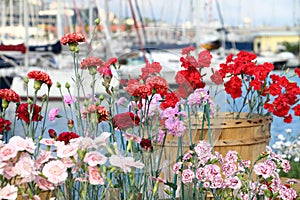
<point x="259" y="90"/>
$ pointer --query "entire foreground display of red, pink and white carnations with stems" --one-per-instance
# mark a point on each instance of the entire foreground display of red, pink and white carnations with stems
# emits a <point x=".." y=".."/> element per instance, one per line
<point x="118" y="141"/>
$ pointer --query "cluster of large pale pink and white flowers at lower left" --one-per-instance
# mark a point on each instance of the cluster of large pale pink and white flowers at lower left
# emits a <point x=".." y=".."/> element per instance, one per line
<point x="80" y="160"/>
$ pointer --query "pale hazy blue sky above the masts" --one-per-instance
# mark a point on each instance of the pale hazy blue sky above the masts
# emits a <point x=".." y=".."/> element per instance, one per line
<point x="234" y="12"/>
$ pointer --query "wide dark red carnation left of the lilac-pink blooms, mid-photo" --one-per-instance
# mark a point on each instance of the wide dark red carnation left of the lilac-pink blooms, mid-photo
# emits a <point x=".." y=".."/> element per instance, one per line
<point x="125" y="120"/>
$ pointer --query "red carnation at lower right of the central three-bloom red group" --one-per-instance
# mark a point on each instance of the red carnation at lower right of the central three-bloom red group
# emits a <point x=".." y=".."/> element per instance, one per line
<point x="159" y="84"/>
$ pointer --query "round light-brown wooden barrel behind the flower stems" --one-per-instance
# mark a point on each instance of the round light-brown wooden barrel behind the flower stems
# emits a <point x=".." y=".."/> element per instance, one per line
<point x="249" y="137"/>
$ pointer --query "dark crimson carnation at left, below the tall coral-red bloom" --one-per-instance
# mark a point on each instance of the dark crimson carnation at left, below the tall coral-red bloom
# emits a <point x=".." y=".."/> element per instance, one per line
<point x="22" y="112"/>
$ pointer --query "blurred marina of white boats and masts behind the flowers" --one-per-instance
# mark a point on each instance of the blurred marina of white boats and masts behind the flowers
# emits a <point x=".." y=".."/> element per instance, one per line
<point x="131" y="43"/>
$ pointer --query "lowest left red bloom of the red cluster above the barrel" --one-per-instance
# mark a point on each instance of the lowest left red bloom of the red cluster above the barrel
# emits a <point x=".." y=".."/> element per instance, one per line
<point x="234" y="87"/>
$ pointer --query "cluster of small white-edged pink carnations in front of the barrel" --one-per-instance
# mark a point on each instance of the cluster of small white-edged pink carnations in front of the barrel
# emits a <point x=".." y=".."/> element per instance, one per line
<point x="232" y="175"/>
